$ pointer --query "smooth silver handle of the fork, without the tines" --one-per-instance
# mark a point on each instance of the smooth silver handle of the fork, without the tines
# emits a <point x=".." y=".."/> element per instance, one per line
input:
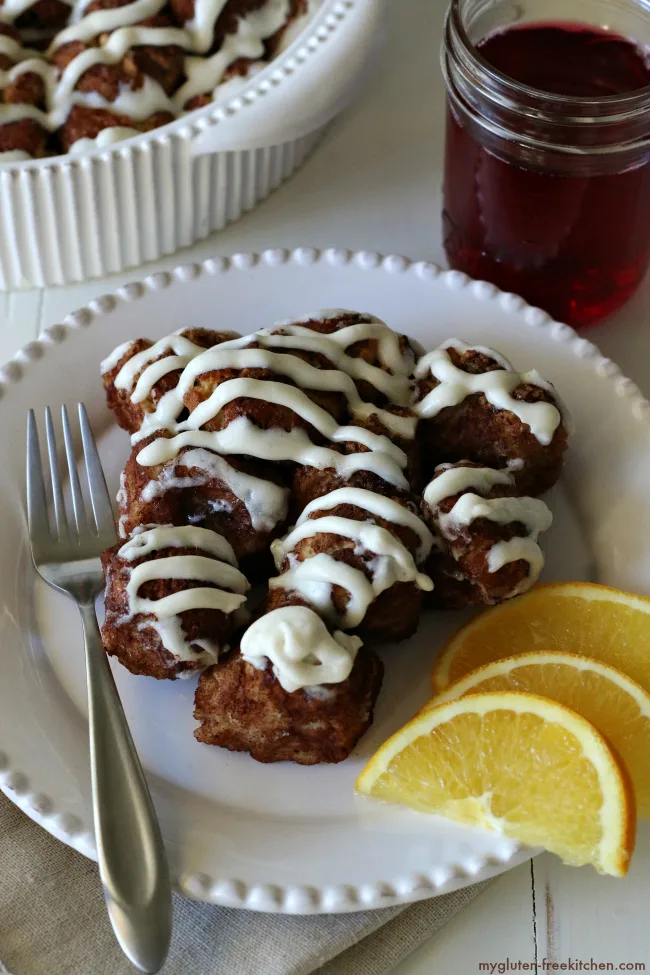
<point x="130" y="852"/>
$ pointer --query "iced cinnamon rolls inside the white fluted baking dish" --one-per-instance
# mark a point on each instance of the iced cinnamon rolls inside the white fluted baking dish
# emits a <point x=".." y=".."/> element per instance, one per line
<point x="77" y="74"/>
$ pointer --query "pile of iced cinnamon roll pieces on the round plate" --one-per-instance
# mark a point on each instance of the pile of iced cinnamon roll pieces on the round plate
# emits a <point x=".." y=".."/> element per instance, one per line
<point x="356" y="477"/>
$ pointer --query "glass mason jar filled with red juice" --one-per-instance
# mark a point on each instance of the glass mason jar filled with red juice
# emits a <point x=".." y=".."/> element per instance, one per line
<point x="548" y="194"/>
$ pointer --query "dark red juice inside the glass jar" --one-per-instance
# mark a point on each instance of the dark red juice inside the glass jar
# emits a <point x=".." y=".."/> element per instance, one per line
<point x="571" y="238"/>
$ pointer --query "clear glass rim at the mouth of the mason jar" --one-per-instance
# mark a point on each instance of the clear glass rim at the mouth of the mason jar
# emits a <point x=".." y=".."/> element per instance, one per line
<point x="615" y="105"/>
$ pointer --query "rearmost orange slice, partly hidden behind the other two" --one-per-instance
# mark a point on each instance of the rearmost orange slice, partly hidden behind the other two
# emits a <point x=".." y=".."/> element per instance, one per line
<point x="574" y="617"/>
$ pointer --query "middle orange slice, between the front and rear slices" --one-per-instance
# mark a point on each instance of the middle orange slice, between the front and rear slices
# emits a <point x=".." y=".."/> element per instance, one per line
<point x="614" y="704"/>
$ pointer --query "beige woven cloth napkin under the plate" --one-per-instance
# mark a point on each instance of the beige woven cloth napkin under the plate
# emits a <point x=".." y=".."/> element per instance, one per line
<point x="53" y="922"/>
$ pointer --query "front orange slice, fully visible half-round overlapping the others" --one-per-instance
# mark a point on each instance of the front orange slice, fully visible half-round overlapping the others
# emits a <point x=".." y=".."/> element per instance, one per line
<point x="517" y="763"/>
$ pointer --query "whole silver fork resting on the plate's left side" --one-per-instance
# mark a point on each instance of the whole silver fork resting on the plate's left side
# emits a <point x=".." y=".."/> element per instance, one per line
<point x="132" y="862"/>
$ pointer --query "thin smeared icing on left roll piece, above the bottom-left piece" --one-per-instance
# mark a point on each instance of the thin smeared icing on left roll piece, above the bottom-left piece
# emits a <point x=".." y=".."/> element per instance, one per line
<point x="265" y="501"/>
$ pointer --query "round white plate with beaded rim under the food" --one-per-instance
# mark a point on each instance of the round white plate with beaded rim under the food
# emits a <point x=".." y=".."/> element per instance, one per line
<point x="285" y="838"/>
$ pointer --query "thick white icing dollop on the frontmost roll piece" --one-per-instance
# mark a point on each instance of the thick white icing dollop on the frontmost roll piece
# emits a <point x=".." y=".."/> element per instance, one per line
<point x="301" y="650"/>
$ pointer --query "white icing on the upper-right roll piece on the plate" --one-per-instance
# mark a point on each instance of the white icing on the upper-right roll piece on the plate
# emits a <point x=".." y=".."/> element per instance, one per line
<point x="497" y="387"/>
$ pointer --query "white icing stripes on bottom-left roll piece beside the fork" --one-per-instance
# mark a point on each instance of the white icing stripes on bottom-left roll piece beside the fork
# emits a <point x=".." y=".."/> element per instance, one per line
<point x="220" y="569"/>
